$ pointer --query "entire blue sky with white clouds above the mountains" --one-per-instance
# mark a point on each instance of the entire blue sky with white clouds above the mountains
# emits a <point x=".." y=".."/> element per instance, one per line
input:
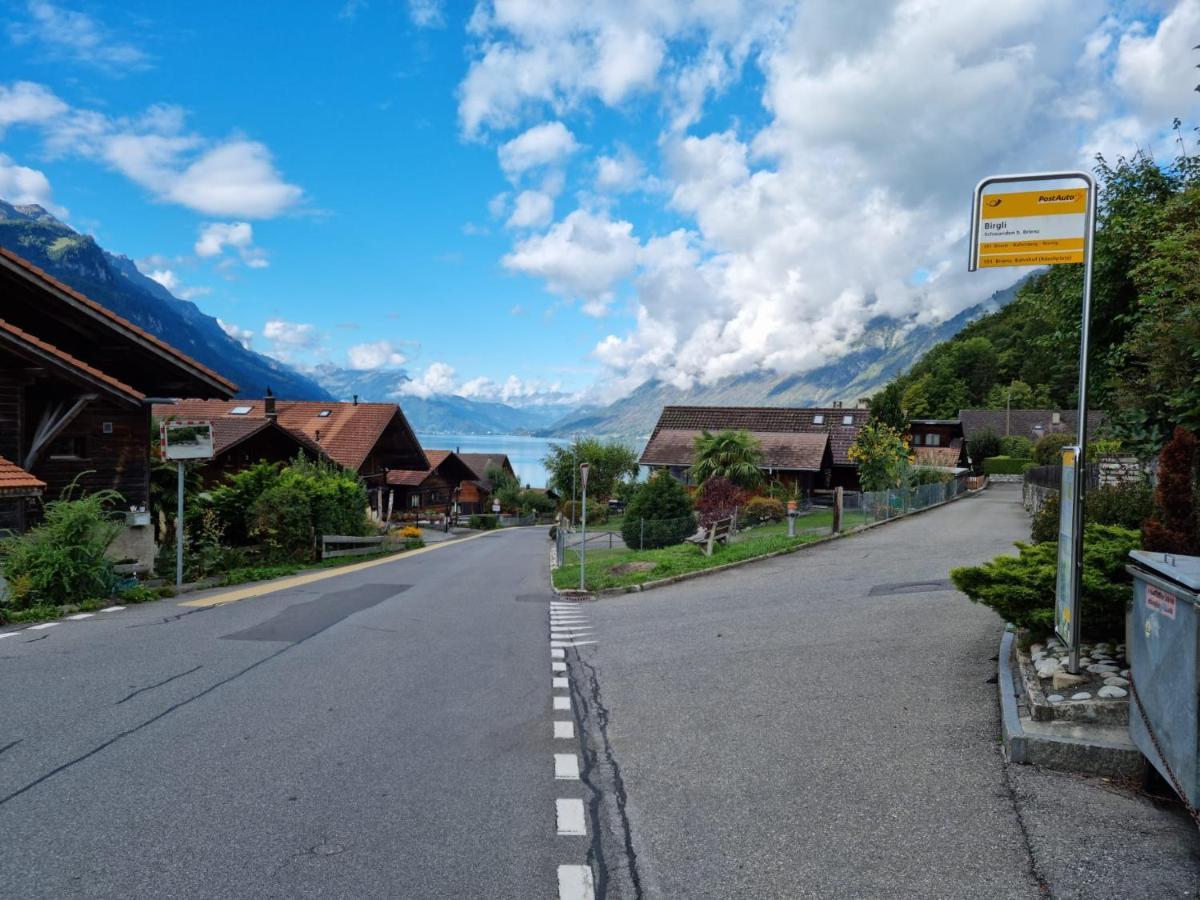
<point x="537" y="202"/>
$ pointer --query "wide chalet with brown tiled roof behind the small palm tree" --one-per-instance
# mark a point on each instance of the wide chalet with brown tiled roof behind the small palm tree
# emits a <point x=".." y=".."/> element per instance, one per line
<point x="807" y="448"/>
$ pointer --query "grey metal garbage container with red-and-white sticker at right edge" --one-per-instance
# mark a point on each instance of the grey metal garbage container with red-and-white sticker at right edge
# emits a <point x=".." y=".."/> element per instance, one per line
<point x="1163" y="649"/>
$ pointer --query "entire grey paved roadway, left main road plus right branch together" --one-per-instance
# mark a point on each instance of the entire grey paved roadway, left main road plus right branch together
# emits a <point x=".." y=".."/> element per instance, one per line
<point x="818" y="725"/>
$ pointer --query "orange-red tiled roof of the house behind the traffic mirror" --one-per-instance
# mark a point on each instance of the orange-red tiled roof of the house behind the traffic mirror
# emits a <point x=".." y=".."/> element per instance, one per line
<point x="347" y="435"/>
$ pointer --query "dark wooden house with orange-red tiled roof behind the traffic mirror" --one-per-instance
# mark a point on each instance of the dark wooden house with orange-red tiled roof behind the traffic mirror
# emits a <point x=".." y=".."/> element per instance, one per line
<point x="370" y="440"/>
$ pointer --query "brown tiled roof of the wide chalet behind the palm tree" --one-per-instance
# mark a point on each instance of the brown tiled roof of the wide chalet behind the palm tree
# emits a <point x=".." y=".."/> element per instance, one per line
<point x="764" y="422"/>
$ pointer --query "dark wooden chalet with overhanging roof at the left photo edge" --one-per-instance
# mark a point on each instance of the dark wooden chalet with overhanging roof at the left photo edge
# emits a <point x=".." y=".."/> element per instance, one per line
<point x="76" y="387"/>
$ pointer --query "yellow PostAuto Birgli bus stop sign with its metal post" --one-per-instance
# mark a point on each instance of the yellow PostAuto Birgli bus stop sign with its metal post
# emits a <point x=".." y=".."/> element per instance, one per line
<point x="1049" y="227"/>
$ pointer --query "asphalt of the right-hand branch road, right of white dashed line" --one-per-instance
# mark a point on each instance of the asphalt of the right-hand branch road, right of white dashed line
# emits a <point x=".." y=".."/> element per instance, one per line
<point x="826" y="725"/>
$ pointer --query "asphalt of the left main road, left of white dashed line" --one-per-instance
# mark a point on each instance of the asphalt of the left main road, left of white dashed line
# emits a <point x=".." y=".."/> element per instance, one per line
<point x="377" y="735"/>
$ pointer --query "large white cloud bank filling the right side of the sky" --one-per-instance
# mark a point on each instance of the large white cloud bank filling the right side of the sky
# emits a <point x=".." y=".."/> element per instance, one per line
<point x="848" y="199"/>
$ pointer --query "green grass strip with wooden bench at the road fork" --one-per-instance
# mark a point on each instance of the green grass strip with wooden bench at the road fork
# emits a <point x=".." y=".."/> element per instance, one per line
<point x="667" y="562"/>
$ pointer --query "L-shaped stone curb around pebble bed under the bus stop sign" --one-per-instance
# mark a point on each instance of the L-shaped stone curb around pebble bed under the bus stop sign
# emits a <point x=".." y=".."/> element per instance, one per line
<point x="1081" y="754"/>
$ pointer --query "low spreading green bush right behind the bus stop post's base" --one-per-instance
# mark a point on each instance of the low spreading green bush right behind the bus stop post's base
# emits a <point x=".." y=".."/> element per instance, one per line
<point x="1022" y="589"/>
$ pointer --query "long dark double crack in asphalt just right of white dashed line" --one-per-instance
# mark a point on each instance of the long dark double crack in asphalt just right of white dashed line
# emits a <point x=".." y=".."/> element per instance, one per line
<point x="585" y="705"/>
